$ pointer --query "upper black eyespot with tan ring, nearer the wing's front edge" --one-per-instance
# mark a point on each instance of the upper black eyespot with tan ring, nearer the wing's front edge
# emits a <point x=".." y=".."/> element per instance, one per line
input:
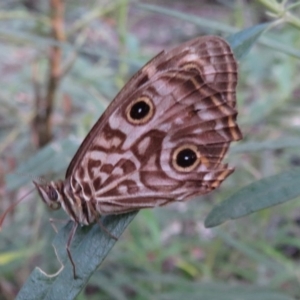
<point x="140" y="111"/>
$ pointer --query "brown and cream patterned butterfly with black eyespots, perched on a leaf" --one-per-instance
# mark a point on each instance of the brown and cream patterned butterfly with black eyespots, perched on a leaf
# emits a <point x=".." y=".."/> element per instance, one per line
<point x="161" y="140"/>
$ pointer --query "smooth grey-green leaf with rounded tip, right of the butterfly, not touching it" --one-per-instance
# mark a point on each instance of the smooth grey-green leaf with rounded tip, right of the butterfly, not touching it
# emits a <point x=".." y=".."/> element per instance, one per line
<point x="256" y="196"/>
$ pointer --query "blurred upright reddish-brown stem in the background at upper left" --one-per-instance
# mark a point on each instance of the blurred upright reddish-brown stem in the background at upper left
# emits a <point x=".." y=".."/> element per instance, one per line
<point x="44" y="106"/>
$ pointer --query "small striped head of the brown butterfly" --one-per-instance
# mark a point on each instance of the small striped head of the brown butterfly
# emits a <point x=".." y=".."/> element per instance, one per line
<point x="50" y="193"/>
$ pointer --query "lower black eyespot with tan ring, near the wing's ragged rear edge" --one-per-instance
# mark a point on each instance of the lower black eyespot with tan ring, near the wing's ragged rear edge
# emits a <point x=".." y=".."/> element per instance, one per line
<point x="186" y="158"/>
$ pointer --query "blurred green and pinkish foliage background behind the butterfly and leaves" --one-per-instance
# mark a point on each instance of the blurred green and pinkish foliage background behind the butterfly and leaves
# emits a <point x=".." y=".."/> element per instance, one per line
<point x="95" y="46"/>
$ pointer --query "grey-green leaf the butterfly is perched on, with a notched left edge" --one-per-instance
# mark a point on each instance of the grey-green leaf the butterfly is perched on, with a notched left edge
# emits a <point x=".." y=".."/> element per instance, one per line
<point x="89" y="248"/>
